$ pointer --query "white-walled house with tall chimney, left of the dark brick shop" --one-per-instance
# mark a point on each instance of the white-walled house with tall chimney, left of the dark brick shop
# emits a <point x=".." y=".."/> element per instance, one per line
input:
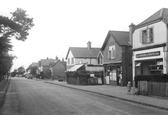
<point x="82" y="55"/>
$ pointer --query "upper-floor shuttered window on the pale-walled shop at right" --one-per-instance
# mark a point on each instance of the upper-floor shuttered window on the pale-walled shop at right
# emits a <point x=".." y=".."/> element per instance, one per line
<point x="146" y="36"/>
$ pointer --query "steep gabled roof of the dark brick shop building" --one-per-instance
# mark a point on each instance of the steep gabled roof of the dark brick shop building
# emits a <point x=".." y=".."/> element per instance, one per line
<point x="121" y="38"/>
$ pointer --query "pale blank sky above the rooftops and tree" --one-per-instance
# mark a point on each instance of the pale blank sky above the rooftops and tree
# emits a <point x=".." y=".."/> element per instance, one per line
<point x="60" y="24"/>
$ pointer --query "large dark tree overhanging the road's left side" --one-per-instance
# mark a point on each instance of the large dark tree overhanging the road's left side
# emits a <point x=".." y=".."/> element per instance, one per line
<point x="17" y="26"/>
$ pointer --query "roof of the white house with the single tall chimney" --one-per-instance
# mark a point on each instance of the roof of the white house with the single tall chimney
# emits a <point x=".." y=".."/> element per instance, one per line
<point x="83" y="52"/>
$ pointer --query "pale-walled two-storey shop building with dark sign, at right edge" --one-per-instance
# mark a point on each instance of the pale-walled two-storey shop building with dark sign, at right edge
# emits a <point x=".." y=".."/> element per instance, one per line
<point x="150" y="45"/>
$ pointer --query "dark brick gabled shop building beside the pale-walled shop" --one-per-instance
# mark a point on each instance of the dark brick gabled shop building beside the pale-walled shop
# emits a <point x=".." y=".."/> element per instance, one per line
<point x="116" y="57"/>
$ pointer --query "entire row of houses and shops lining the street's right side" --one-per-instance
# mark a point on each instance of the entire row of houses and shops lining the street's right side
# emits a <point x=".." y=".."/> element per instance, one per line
<point x="143" y="50"/>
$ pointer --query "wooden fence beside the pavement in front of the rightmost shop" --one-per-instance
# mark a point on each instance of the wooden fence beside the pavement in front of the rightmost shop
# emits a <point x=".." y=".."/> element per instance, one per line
<point x="153" y="88"/>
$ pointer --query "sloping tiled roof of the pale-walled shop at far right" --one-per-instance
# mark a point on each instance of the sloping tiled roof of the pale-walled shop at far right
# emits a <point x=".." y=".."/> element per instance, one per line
<point x="161" y="14"/>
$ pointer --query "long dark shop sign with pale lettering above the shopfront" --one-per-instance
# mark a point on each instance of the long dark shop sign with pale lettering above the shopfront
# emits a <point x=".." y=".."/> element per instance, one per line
<point x="149" y="54"/>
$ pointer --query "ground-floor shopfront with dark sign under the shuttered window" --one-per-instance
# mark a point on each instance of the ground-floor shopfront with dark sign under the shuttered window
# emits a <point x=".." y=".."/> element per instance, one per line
<point x="149" y="61"/>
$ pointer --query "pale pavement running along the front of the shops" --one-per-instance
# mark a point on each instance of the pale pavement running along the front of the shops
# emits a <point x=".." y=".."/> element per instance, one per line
<point x="118" y="92"/>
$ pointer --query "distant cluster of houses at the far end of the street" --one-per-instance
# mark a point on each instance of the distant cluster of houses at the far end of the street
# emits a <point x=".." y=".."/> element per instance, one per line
<point x="49" y="69"/>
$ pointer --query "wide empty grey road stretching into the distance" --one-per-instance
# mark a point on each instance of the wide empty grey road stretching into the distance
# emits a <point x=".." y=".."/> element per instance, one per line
<point x="34" y="97"/>
